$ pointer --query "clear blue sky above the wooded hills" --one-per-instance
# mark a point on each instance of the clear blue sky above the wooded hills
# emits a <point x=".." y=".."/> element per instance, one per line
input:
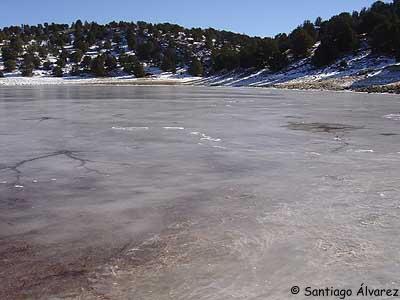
<point x="256" y="17"/>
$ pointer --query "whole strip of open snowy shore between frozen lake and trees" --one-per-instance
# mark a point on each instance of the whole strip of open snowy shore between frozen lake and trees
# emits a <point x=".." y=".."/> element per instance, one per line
<point x="360" y="72"/>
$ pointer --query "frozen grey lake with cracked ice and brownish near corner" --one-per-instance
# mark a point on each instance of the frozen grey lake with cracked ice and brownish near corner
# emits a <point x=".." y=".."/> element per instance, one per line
<point x="181" y="192"/>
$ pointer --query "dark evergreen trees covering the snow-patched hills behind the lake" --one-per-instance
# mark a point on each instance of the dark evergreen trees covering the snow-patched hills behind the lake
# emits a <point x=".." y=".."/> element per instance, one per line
<point x="103" y="50"/>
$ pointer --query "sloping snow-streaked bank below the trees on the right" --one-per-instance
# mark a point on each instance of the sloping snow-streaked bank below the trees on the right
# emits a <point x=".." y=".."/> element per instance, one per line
<point x="360" y="71"/>
